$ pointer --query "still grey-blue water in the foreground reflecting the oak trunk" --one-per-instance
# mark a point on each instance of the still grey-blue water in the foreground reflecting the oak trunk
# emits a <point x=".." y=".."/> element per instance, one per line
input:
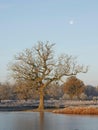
<point x="46" y="121"/>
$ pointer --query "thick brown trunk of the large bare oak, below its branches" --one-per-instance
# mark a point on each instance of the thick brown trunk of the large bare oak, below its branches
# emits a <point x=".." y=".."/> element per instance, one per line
<point x="41" y="101"/>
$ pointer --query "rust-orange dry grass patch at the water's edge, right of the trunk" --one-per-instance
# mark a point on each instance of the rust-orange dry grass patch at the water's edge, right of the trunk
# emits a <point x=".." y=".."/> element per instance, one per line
<point x="78" y="110"/>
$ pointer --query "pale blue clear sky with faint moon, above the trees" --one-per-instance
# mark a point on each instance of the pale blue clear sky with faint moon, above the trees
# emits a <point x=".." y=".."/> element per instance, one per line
<point x="71" y="24"/>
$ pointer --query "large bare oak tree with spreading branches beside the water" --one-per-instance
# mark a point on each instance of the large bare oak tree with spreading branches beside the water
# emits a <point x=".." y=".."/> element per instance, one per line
<point x="39" y="67"/>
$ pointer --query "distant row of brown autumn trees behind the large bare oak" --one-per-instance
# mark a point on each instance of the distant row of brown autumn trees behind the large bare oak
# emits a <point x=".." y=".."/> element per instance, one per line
<point x="66" y="91"/>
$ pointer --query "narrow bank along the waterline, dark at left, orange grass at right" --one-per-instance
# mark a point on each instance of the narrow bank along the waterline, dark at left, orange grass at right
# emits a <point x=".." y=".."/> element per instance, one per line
<point x="87" y="109"/>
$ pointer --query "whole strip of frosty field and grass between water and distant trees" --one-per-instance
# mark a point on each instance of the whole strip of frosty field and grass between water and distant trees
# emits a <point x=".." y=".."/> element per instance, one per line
<point x="63" y="107"/>
